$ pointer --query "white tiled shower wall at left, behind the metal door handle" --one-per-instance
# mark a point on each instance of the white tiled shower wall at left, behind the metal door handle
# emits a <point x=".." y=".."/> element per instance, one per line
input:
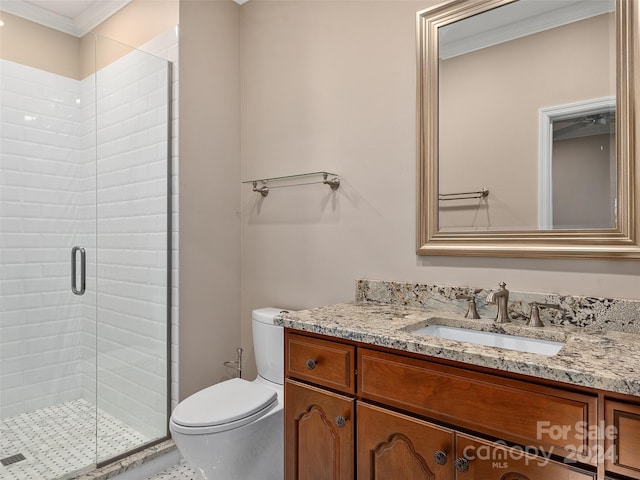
<point x="41" y="195"/>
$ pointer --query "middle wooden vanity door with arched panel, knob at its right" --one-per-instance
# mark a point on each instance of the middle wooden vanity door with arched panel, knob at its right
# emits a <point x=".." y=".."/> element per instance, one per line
<point x="394" y="446"/>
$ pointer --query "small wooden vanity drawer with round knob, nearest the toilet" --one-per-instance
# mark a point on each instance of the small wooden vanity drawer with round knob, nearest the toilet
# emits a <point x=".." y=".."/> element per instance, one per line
<point x="326" y="363"/>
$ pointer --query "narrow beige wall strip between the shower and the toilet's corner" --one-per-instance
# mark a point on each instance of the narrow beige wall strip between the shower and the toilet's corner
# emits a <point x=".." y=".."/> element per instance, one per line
<point x="209" y="189"/>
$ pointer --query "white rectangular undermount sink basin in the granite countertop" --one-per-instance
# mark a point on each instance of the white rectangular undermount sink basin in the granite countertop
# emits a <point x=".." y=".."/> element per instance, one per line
<point x="491" y="339"/>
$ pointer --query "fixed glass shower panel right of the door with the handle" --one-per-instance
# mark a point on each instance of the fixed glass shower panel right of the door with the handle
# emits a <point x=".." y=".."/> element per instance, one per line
<point x="133" y="247"/>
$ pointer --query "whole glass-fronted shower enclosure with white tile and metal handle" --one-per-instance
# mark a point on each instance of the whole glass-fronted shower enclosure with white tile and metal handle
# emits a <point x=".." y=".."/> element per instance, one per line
<point x="84" y="262"/>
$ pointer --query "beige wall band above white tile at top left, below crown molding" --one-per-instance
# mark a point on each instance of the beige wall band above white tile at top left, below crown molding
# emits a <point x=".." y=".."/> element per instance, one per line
<point x="34" y="45"/>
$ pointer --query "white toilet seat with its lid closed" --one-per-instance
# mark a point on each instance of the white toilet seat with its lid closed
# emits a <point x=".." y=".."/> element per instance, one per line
<point x="224" y="406"/>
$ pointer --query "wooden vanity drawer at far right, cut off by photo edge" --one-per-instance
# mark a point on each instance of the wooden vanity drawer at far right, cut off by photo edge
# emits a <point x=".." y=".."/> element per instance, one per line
<point x="622" y="438"/>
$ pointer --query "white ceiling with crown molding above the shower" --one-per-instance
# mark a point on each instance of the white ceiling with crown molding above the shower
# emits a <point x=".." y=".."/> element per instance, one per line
<point x="75" y="17"/>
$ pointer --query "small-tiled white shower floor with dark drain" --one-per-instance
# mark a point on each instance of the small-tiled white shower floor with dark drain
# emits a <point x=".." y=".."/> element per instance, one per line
<point x="61" y="439"/>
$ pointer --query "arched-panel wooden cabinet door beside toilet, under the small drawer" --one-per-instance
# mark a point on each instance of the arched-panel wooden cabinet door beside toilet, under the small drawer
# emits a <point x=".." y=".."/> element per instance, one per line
<point x="319" y="434"/>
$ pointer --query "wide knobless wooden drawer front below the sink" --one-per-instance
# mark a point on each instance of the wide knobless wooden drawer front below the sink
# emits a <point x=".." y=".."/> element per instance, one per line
<point x="545" y="418"/>
